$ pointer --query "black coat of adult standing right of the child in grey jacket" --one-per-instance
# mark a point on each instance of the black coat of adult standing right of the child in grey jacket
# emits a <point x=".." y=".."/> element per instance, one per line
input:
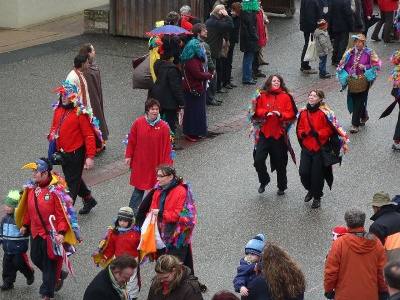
<point x="341" y="16"/>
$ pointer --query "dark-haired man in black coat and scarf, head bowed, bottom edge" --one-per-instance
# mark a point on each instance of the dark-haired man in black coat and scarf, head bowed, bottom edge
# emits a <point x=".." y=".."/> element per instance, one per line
<point x="110" y="283"/>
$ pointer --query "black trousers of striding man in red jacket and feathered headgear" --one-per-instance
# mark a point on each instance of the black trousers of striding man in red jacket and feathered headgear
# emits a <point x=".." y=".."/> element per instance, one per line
<point x="73" y="174"/>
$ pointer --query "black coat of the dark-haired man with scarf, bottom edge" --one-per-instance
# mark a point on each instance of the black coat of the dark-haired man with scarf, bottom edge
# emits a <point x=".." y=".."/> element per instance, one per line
<point x="101" y="288"/>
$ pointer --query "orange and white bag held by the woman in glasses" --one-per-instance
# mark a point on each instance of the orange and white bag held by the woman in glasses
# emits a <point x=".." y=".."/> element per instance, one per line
<point x="150" y="239"/>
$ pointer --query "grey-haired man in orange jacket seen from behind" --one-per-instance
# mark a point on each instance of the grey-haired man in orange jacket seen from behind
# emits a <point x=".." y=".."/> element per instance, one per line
<point x="354" y="266"/>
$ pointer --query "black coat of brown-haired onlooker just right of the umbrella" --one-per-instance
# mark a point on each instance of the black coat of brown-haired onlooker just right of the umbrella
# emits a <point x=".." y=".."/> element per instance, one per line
<point x="217" y="30"/>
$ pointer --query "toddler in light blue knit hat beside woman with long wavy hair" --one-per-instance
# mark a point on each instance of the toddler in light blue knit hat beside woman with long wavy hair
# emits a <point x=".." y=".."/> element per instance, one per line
<point x="250" y="265"/>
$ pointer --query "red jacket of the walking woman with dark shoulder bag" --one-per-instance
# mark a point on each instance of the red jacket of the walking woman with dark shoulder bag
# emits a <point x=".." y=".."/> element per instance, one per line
<point x="321" y="125"/>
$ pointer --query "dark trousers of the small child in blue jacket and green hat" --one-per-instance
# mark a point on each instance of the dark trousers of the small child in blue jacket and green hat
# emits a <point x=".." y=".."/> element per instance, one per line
<point x="12" y="263"/>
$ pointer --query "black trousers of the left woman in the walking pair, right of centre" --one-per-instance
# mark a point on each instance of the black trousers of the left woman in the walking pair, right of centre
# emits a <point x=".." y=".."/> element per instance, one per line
<point x="277" y="151"/>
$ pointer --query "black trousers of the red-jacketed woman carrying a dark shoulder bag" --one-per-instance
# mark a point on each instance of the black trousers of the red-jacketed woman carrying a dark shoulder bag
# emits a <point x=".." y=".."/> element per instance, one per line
<point x="311" y="172"/>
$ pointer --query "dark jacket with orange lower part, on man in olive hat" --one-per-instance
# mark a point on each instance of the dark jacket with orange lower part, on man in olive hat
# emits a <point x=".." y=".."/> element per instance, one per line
<point x="386" y="227"/>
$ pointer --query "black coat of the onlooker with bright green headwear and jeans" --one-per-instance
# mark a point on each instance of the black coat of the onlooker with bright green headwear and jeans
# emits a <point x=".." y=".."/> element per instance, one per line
<point x="248" y="32"/>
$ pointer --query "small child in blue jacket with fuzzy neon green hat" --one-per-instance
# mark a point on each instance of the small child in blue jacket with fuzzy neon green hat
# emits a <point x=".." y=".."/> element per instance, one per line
<point x="15" y="246"/>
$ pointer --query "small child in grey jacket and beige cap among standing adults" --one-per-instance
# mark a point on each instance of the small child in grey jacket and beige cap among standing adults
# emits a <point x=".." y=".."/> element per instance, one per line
<point x="324" y="47"/>
